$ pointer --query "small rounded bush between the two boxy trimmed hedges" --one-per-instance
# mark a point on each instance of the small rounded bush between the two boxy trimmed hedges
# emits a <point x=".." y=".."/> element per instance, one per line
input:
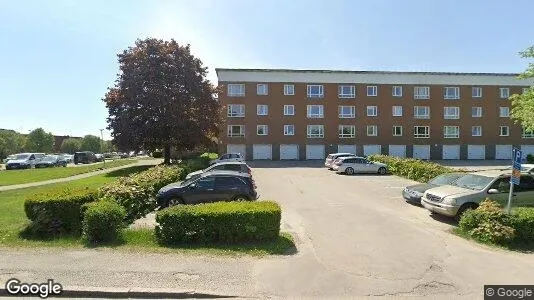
<point x="103" y="221"/>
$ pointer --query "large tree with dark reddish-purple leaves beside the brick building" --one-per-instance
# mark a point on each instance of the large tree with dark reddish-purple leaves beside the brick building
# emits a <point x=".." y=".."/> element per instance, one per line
<point x="161" y="99"/>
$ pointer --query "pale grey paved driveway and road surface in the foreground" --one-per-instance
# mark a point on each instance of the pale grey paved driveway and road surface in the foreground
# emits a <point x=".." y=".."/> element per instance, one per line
<point x="356" y="238"/>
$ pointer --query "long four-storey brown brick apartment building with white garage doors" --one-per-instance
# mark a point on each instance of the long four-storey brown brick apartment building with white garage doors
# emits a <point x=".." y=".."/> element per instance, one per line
<point x="306" y="114"/>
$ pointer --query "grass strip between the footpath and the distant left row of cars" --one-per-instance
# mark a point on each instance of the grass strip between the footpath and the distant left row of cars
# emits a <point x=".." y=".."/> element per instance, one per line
<point x="33" y="175"/>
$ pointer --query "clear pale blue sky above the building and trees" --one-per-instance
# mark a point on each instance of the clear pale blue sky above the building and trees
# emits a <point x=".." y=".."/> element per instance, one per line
<point x="57" y="58"/>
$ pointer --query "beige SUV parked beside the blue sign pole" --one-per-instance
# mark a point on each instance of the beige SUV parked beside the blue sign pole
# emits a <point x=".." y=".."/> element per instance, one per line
<point x="471" y="189"/>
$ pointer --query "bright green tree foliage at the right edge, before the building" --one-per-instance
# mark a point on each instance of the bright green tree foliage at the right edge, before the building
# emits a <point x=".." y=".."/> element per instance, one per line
<point x="523" y="104"/>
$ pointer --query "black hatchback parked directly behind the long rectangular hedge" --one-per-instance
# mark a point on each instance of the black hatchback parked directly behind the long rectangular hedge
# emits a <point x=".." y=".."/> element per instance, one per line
<point x="209" y="187"/>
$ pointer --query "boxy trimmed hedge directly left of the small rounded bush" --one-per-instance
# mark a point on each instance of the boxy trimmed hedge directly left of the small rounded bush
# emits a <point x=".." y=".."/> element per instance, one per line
<point x="58" y="211"/>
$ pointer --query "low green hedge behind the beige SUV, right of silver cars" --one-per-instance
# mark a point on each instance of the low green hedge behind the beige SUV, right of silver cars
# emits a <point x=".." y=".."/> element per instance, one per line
<point x="411" y="168"/>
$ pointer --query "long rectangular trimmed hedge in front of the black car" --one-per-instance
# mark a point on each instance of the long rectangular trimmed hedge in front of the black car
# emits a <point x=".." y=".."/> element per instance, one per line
<point x="221" y="222"/>
